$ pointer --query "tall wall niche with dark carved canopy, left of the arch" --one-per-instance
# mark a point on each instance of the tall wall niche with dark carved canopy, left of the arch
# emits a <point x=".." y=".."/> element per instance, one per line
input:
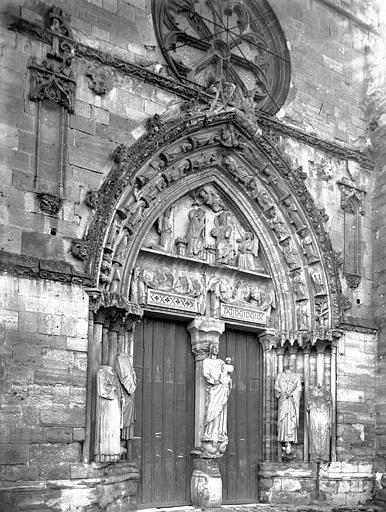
<point x="52" y="87"/>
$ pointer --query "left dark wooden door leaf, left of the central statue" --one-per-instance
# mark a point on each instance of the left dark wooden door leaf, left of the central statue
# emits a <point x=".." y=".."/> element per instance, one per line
<point x="164" y="428"/>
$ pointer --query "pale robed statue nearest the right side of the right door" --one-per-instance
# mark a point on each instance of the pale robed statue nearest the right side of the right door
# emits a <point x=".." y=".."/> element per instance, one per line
<point x="288" y="390"/>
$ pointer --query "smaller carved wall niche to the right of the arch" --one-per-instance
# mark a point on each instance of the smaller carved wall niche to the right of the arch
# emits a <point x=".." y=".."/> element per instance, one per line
<point x="352" y="204"/>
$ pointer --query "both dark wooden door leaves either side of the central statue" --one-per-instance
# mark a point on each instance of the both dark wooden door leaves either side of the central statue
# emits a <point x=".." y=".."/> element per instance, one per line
<point x="164" y="428"/>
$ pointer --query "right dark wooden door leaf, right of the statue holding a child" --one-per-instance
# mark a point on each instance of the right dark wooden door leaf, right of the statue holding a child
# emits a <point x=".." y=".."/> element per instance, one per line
<point x="239" y="466"/>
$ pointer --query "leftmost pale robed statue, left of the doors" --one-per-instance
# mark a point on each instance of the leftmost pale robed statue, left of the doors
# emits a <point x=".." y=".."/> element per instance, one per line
<point x="107" y="444"/>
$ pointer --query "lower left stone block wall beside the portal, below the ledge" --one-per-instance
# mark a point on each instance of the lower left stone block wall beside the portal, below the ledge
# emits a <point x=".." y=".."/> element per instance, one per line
<point x="43" y="328"/>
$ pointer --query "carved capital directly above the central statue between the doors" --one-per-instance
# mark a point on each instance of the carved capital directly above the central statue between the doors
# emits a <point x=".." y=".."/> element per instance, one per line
<point x="204" y="331"/>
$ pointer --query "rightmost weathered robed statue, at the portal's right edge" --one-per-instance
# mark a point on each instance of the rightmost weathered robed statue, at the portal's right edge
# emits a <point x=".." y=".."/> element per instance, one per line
<point x="319" y="406"/>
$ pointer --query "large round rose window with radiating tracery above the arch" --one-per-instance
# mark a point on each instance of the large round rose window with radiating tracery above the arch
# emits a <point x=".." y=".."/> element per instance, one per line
<point x="239" y="43"/>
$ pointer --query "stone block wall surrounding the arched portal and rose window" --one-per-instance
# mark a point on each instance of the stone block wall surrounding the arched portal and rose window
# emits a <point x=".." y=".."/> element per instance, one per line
<point x="44" y="324"/>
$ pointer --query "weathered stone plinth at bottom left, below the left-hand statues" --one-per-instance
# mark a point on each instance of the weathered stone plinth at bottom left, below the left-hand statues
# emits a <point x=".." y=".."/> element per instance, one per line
<point x="108" y="488"/>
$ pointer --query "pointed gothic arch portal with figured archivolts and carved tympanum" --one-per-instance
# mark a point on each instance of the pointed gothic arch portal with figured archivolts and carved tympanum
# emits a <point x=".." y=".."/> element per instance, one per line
<point x="202" y="219"/>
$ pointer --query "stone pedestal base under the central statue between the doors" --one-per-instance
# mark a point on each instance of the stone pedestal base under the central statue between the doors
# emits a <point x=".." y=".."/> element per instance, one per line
<point x="206" y="484"/>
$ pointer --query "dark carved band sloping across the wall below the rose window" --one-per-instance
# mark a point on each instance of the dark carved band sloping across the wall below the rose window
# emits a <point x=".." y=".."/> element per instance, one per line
<point x="186" y="92"/>
